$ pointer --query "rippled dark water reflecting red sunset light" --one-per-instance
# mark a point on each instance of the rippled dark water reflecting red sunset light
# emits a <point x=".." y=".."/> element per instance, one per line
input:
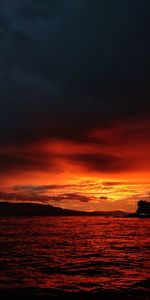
<point x="90" y="257"/>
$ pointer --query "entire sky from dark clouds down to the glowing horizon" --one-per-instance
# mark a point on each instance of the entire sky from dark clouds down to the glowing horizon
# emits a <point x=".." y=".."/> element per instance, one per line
<point x="74" y="103"/>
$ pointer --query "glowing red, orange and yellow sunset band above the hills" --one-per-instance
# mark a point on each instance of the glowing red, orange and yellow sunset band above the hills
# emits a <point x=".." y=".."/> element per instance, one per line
<point x="108" y="170"/>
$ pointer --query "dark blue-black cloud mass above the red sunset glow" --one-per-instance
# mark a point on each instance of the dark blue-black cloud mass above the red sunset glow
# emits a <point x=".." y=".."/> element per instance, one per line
<point x="68" y="66"/>
